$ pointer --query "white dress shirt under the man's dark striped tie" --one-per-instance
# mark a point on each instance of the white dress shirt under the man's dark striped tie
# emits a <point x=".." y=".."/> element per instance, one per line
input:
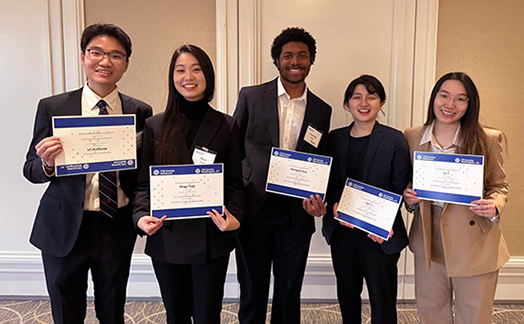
<point x="89" y="108"/>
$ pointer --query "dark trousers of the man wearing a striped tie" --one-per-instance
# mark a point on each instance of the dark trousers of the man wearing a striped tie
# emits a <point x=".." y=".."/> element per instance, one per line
<point x="105" y="246"/>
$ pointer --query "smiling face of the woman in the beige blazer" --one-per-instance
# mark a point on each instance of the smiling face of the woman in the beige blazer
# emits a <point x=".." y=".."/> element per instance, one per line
<point x="451" y="102"/>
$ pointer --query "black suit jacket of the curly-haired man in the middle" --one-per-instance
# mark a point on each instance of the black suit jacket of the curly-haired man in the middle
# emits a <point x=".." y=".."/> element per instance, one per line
<point x="257" y="117"/>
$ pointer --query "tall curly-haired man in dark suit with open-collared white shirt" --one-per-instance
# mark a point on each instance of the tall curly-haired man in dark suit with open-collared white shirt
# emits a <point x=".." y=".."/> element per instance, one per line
<point x="277" y="229"/>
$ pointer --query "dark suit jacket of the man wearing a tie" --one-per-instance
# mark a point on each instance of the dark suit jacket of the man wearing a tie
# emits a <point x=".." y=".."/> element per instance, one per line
<point x="59" y="215"/>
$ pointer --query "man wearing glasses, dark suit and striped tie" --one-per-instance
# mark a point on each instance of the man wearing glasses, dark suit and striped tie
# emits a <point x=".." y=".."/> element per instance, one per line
<point x="75" y="227"/>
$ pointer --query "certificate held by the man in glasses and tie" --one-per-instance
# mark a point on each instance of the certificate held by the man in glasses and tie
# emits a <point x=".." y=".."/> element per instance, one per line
<point x="95" y="144"/>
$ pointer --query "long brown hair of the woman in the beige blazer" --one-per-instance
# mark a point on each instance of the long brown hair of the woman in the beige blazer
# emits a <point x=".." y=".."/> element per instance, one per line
<point x="472" y="137"/>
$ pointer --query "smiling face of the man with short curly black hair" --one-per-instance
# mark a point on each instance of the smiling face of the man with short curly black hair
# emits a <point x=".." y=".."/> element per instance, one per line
<point x="294" y="62"/>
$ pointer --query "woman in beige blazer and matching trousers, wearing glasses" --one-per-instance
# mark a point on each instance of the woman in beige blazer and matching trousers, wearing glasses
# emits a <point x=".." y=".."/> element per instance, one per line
<point x="458" y="249"/>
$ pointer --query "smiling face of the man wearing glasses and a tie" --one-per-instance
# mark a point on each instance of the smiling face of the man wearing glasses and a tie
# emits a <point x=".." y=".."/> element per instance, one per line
<point x="102" y="75"/>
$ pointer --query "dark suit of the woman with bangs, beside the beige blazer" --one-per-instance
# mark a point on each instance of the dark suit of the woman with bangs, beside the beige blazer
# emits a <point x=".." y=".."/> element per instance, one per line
<point x="387" y="165"/>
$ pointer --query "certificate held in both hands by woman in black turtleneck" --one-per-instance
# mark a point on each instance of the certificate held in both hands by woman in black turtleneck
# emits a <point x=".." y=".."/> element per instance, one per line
<point x="186" y="191"/>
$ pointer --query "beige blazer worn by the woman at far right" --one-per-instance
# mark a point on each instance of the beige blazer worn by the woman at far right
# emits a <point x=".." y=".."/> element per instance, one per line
<point x="472" y="245"/>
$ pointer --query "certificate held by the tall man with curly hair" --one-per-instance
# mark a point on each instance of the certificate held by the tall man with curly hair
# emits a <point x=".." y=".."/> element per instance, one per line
<point x="297" y="174"/>
